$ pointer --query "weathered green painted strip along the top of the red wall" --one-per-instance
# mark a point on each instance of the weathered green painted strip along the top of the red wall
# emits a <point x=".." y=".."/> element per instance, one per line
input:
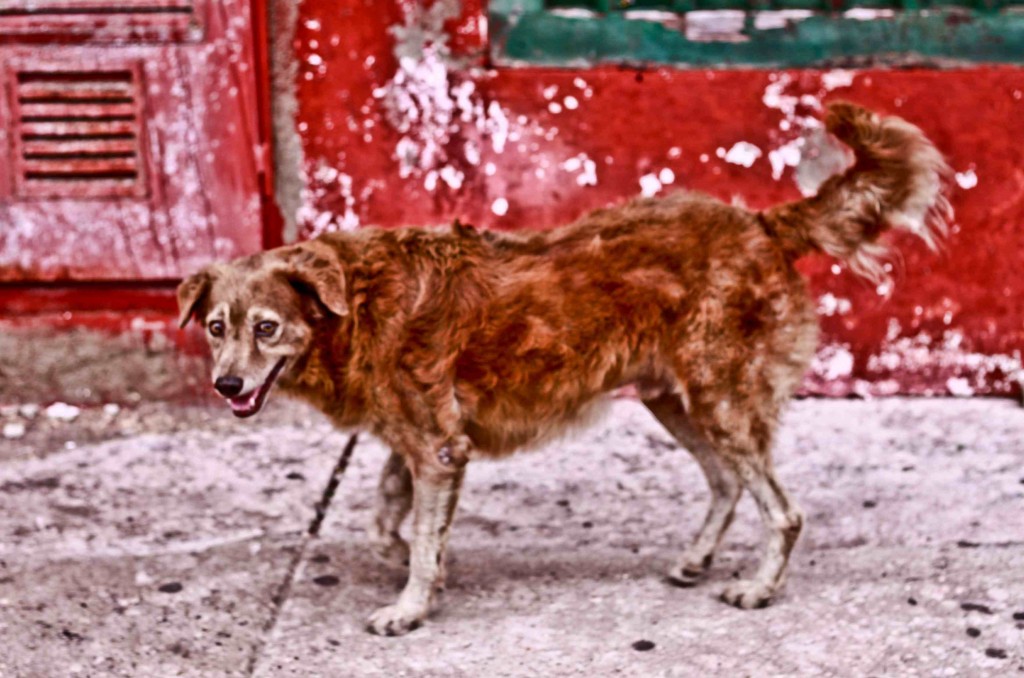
<point x="524" y="32"/>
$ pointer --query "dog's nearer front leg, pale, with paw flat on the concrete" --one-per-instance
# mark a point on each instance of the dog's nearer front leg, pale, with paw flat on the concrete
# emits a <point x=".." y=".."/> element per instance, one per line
<point x="436" y="493"/>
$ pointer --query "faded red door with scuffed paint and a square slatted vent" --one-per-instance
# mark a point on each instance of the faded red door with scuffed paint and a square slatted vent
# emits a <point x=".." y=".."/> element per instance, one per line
<point x="130" y="135"/>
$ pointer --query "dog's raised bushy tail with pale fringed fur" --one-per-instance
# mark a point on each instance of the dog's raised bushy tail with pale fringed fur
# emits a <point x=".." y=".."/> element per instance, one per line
<point x="898" y="182"/>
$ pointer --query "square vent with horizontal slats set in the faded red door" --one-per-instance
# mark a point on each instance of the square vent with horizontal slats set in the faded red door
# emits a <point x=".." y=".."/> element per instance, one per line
<point x="78" y="135"/>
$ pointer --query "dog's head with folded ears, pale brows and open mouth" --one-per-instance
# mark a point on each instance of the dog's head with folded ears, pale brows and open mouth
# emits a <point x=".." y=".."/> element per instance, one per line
<point x="260" y="314"/>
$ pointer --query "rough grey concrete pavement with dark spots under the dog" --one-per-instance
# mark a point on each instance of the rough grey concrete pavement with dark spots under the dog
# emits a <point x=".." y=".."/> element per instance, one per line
<point x="166" y="541"/>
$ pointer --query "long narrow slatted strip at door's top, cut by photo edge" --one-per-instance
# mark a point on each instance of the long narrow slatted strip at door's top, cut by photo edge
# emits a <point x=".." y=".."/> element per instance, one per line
<point x="100" y="20"/>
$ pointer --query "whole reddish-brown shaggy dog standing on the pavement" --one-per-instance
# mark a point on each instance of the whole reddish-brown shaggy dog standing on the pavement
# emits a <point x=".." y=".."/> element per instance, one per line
<point x="456" y="345"/>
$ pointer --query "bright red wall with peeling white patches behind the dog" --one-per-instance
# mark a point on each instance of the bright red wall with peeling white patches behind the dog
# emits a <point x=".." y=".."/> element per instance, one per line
<point x="402" y="122"/>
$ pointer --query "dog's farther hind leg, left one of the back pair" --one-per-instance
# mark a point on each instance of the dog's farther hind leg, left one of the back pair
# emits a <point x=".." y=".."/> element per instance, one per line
<point x="723" y="482"/>
